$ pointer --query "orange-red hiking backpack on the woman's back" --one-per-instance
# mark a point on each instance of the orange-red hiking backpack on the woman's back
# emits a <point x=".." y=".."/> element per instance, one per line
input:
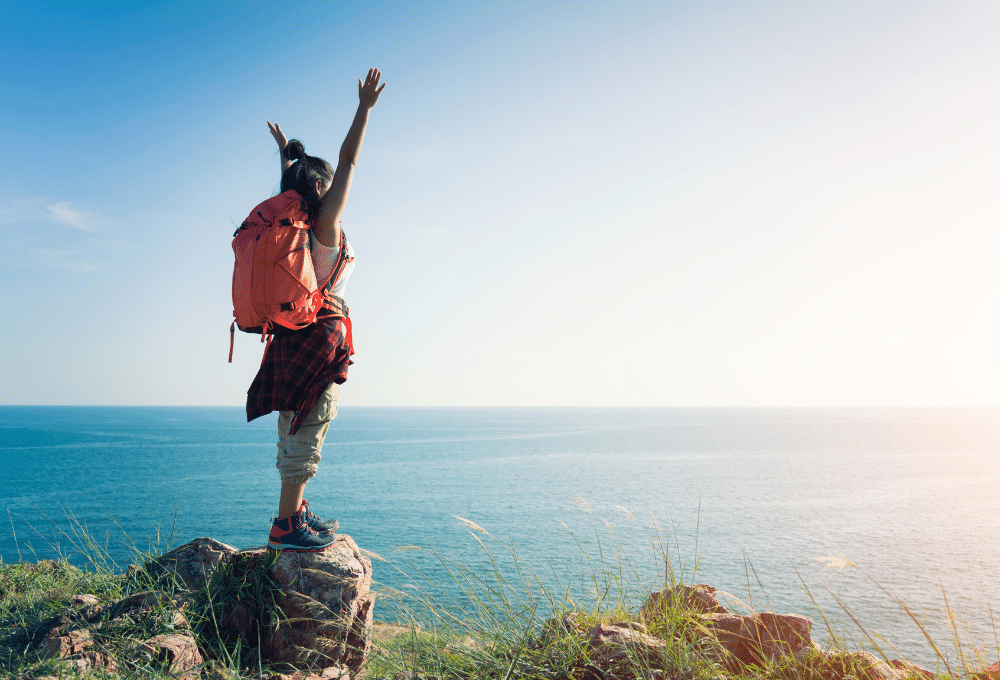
<point x="274" y="283"/>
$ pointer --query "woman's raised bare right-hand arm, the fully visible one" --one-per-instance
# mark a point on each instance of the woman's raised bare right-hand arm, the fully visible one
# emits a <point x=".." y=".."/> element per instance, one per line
<point x="327" y="226"/>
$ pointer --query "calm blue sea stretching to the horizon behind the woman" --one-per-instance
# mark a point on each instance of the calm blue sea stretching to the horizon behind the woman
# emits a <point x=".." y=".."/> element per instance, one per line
<point x="910" y="496"/>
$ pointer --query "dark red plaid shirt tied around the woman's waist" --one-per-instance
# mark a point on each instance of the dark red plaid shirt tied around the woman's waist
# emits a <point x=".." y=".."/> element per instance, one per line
<point x="297" y="368"/>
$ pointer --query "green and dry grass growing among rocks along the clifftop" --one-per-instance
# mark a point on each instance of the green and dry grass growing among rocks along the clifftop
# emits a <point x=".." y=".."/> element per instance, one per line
<point x="501" y="621"/>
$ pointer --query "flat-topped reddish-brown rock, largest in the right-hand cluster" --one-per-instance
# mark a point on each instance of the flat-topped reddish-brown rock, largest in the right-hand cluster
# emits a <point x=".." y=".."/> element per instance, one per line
<point x="759" y="638"/>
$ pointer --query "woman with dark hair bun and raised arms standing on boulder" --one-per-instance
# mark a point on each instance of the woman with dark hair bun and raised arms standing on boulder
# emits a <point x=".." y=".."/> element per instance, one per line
<point x="301" y="369"/>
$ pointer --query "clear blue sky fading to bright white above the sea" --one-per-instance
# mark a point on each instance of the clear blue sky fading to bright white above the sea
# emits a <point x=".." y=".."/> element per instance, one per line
<point x="642" y="203"/>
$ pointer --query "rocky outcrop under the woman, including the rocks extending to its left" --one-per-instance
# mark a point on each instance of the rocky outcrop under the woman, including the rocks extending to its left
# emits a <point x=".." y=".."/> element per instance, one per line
<point x="324" y="611"/>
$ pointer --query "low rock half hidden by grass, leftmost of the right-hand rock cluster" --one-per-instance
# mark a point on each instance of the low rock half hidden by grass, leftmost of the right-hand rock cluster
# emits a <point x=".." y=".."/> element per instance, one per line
<point x="622" y="650"/>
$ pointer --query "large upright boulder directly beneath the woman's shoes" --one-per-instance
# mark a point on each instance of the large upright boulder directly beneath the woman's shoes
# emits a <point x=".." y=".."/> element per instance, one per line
<point x="327" y="605"/>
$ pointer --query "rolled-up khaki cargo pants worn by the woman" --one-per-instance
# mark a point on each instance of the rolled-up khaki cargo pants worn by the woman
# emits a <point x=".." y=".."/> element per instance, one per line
<point x="299" y="454"/>
